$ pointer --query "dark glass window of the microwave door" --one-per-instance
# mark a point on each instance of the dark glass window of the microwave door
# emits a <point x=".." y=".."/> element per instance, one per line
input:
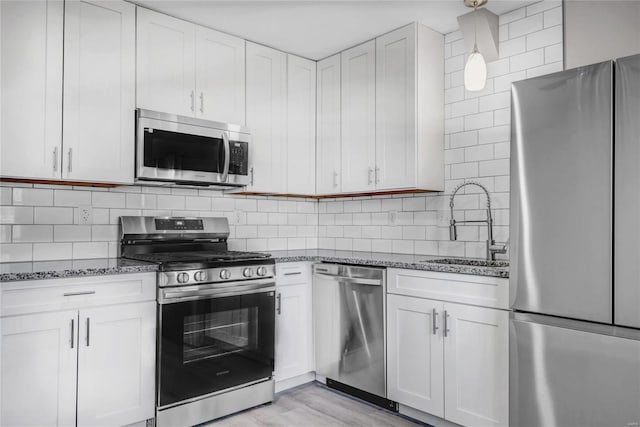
<point x="179" y="151"/>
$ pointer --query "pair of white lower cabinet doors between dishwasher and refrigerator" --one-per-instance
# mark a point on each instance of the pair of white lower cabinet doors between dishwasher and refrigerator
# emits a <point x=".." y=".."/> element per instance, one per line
<point x="449" y="360"/>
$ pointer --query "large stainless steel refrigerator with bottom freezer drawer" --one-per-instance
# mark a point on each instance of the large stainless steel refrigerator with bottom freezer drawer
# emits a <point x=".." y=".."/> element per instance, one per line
<point x="575" y="255"/>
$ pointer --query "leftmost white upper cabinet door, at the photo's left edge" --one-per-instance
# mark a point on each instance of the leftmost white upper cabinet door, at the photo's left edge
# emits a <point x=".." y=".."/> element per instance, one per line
<point x="31" y="87"/>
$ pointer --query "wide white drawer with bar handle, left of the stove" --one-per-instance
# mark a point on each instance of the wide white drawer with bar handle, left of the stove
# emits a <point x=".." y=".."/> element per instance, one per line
<point x="60" y="294"/>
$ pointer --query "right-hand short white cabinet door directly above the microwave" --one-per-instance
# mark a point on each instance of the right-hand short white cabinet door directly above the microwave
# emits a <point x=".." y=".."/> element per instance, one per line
<point x="220" y="76"/>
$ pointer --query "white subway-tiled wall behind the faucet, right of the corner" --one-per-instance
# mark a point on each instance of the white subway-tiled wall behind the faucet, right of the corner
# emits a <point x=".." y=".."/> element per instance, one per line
<point x="477" y="139"/>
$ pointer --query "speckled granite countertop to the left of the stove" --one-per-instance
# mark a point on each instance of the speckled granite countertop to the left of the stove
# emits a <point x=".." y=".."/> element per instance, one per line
<point x="15" y="271"/>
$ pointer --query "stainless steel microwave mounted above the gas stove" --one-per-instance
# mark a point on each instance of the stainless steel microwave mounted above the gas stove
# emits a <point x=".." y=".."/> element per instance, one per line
<point x="186" y="150"/>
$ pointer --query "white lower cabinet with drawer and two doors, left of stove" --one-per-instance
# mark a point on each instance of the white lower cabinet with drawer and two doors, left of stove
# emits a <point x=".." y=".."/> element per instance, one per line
<point x="89" y="365"/>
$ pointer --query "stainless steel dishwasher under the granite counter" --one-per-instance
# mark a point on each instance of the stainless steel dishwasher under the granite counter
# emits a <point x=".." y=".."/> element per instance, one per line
<point x="349" y="316"/>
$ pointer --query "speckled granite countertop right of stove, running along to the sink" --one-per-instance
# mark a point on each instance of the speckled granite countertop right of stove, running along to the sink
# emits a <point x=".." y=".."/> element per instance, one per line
<point x="414" y="262"/>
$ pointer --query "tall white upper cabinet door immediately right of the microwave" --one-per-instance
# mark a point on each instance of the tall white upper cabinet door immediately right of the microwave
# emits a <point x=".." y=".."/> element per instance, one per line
<point x="266" y="117"/>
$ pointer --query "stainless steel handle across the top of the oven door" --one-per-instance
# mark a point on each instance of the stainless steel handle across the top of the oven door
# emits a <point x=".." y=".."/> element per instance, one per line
<point x="185" y="293"/>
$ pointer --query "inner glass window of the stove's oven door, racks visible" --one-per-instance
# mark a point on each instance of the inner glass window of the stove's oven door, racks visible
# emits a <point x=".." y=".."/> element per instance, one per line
<point x="219" y="334"/>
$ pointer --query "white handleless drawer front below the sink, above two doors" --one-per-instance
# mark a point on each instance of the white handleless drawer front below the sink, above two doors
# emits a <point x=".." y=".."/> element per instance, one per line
<point x="463" y="288"/>
